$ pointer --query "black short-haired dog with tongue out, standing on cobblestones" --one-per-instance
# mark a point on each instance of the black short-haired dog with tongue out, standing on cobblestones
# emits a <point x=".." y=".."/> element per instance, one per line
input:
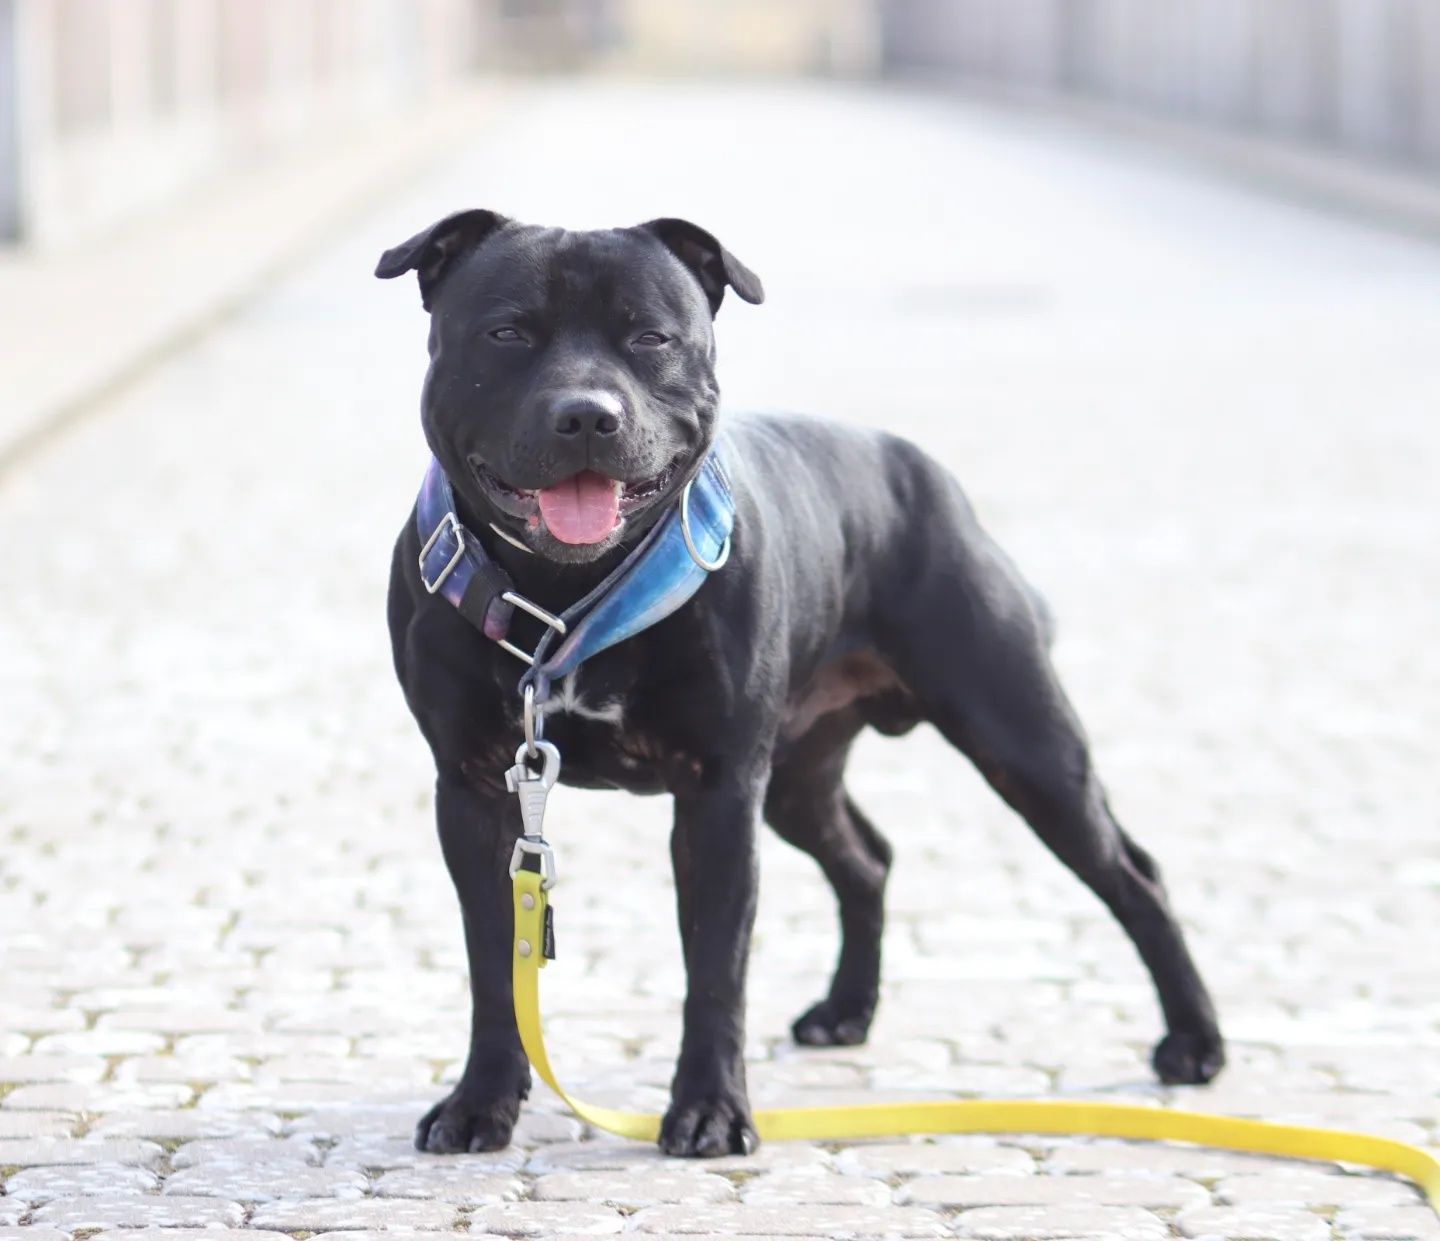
<point x="571" y="397"/>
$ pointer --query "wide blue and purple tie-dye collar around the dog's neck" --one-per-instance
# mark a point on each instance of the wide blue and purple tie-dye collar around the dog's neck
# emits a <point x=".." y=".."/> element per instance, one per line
<point x="652" y="584"/>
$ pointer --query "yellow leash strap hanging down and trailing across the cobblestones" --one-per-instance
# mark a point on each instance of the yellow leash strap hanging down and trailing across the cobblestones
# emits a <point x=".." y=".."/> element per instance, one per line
<point x="964" y="1116"/>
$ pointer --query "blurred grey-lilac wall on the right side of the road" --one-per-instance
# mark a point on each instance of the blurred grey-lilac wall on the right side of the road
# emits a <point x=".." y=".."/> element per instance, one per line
<point x="1357" y="74"/>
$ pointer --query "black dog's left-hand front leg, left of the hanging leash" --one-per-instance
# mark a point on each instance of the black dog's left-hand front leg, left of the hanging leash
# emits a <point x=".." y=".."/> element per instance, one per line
<point x="479" y="830"/>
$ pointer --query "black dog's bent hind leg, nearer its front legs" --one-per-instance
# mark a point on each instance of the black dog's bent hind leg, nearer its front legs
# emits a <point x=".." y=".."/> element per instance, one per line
<point x="807" y="805"/>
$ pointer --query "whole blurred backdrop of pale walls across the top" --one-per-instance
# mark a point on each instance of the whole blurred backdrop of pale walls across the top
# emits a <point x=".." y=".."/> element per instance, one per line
<point x="107" y="109"/>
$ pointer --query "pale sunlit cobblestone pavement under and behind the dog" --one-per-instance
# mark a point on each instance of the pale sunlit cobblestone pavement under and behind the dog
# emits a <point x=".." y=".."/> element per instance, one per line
<point x="1205" y="423"/>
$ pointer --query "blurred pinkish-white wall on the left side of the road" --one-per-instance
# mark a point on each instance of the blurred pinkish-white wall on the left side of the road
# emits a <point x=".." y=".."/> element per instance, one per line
<point x="117" y="104"/>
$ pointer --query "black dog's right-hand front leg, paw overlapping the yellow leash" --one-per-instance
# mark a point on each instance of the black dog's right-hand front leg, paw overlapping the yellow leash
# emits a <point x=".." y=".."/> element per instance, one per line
<point x="714" y="853"/>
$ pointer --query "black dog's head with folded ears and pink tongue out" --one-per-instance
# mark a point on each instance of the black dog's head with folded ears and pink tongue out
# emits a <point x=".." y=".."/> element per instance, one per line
<point x="572" y="384"/>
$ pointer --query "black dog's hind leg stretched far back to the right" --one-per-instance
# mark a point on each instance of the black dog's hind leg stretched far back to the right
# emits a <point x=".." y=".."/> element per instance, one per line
<point x="971" y="644"/>
